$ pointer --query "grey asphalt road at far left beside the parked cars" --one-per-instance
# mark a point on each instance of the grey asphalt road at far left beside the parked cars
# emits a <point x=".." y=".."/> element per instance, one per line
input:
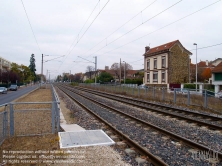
<point x="12" y="95"/>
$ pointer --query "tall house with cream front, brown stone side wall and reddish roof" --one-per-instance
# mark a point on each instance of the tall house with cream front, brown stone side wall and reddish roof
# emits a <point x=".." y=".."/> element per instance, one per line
<point x="165" y="64"/>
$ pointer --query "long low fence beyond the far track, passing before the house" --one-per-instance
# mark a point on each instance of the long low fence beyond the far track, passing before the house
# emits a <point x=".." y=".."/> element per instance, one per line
<point x="189" y="97"/>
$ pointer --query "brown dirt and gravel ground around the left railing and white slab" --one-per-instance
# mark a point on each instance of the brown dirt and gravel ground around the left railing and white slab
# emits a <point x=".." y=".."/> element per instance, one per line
<point x="44" y="149"/>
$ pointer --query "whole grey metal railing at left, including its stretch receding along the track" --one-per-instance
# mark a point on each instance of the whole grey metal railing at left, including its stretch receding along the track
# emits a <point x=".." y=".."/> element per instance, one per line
<point x="30" y="118"/>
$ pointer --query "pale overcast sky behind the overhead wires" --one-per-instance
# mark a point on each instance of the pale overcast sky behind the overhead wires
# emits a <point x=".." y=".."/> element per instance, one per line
<point x="70" y="33"/>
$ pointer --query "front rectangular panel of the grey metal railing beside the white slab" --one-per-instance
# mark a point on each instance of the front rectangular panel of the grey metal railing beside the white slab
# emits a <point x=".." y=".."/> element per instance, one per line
<point x="26" y="121"/>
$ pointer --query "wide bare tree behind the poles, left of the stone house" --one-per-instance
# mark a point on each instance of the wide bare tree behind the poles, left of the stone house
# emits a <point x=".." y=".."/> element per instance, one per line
<point x="116" y="68"/>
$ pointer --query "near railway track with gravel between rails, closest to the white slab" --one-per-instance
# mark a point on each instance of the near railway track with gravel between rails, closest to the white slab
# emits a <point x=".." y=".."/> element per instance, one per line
<point x="141" y="127"/>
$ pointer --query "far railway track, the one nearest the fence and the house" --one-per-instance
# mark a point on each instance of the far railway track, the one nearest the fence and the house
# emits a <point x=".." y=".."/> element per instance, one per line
<point x="212" y="122"/>
